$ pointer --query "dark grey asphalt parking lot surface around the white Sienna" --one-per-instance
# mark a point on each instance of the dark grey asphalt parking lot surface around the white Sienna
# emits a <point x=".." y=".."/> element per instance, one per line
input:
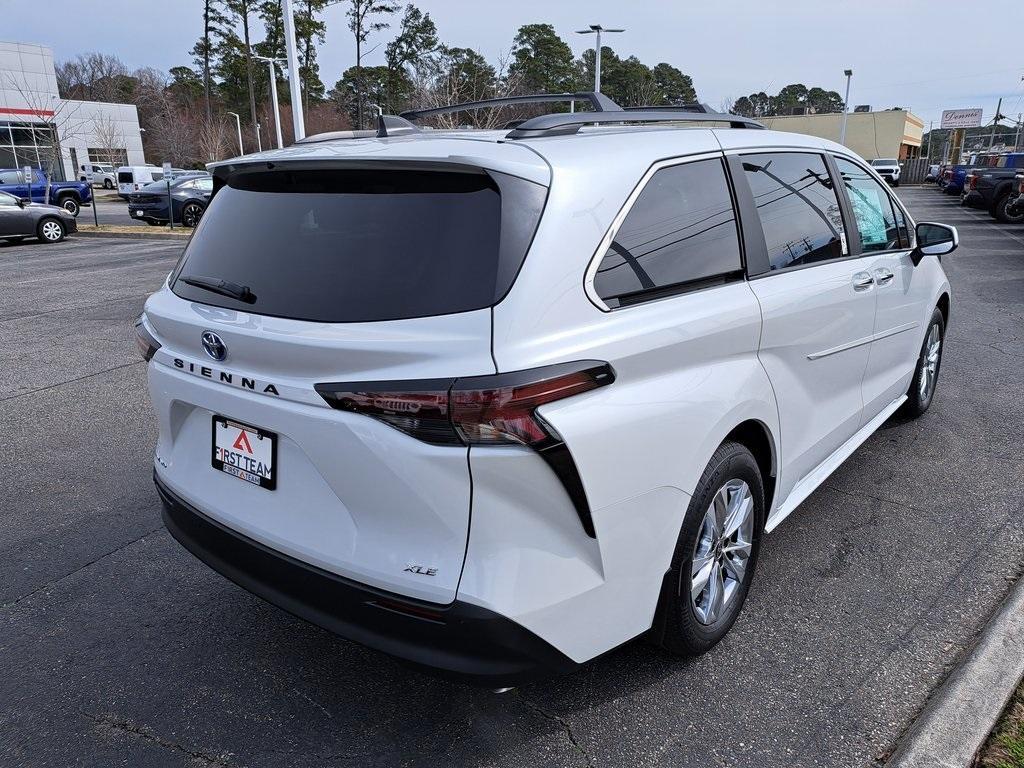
<point x="117" y="648"/>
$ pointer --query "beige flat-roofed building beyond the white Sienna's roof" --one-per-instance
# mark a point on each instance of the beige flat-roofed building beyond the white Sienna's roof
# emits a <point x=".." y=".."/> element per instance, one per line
<point x="871" y="135"/>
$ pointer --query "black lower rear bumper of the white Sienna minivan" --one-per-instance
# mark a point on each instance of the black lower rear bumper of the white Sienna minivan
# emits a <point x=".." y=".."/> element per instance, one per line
<point x="458" y="641"/>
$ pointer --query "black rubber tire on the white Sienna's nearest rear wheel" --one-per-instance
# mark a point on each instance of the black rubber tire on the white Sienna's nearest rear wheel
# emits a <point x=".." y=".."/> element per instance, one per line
<point x="677" y="627"/>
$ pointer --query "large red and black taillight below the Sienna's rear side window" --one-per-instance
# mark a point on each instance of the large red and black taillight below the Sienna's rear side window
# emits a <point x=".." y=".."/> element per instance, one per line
<point x="498" y="410"/>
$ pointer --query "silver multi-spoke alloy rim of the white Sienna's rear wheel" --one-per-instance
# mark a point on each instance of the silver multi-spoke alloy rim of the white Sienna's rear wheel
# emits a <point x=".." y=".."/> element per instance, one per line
<point x="722" y="551"/>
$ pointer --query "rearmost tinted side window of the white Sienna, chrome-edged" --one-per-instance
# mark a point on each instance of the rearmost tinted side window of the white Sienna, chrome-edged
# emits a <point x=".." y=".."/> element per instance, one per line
<point x="682" y="229"/>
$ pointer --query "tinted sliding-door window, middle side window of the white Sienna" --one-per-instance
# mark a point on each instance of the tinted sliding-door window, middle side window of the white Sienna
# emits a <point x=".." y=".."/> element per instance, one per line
<point x="798" y="207"/>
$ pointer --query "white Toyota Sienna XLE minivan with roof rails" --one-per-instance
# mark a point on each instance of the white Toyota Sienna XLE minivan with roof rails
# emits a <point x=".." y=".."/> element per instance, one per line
<point x="498" y="402"/>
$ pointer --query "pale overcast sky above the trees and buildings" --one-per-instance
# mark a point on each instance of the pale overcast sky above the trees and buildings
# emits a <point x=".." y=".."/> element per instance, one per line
<point x="904" y="53"/>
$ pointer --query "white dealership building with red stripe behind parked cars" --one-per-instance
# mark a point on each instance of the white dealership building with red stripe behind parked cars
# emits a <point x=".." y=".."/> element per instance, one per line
<point x="37" y="126"/>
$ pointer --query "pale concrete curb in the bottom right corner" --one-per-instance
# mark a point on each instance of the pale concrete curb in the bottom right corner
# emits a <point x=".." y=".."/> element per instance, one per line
<point x="962" y="713"/>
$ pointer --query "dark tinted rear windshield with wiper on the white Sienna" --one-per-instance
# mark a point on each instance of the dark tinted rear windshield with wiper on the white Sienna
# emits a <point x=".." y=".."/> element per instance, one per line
<point x="347" y="246"/>
